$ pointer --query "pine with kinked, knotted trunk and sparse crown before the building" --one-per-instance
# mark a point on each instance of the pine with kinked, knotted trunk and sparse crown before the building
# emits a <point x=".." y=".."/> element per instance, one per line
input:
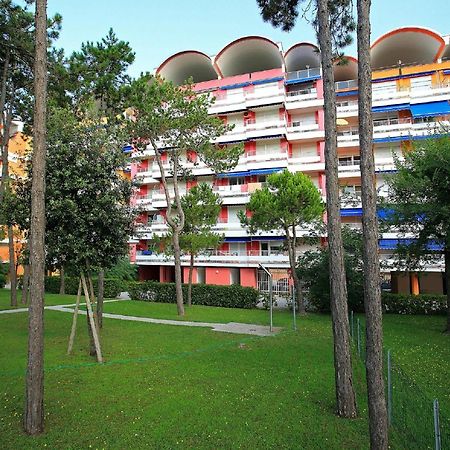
<point x="174" y="120"/>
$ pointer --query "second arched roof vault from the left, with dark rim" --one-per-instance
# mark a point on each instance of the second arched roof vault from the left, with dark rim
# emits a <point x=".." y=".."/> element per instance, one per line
<point x="246" y="55"/>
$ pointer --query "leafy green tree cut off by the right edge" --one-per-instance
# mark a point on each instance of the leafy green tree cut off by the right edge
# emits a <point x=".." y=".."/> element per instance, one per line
<point x="418" y="203"/>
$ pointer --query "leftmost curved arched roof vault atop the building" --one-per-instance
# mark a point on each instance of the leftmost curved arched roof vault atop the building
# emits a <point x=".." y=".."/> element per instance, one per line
<point x="183" y="65"/>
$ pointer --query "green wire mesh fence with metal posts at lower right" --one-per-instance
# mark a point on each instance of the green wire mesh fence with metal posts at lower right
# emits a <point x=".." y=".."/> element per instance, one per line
<point x="415" y="420"/>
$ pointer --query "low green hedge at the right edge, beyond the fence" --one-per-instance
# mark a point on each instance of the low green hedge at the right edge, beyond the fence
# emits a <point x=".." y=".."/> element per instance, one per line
<point x="414" y="304"/>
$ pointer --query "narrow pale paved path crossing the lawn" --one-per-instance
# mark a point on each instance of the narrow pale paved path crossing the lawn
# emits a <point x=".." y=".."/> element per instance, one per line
<point x="231" y="327"/>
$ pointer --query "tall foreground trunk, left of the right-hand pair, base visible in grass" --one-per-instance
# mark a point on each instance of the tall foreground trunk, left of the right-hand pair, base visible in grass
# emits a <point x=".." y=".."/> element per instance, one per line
<point x="345" y="395"/>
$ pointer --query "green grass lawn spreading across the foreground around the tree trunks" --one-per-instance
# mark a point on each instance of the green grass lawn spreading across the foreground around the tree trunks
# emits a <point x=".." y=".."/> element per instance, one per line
<point x="180" y="387"/>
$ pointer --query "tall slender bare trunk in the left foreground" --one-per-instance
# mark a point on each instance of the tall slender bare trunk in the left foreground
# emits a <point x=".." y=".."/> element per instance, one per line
<point x="34" y="402"/>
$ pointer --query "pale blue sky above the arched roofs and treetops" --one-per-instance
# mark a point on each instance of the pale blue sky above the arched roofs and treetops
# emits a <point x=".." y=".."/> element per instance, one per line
<point x="156" y="29"/>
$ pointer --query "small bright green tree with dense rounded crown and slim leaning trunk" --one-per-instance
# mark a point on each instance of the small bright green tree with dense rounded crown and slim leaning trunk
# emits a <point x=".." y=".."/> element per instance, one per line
<point x="289" y="200"/>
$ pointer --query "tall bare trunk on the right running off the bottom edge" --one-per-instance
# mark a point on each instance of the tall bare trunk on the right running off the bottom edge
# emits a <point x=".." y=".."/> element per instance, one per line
<point x="378" y="424"/>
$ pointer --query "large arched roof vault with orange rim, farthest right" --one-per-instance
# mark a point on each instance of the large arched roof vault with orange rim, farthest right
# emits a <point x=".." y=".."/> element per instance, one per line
<point x="409" y="45"/>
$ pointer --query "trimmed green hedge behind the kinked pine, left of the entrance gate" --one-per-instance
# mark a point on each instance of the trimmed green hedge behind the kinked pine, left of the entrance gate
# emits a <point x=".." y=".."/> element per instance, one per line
<point x="233" y="296"/>
